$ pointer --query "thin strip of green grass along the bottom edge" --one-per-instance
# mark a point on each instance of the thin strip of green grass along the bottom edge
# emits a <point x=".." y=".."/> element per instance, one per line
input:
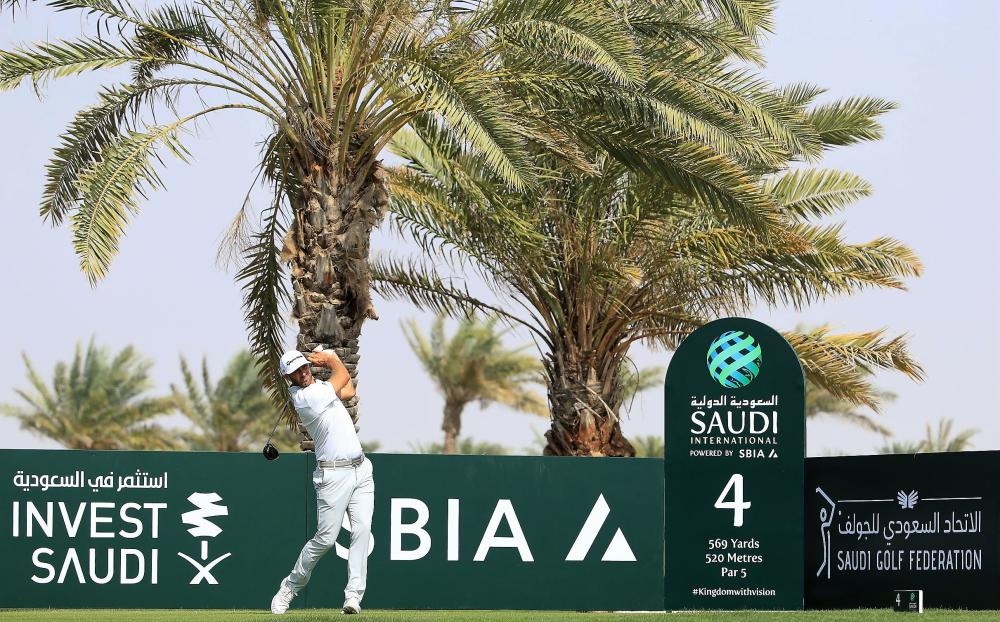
<point x="144" y="615"/>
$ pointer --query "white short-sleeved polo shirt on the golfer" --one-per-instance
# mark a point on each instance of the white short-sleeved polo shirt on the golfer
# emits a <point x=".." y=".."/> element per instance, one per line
<point x="324" y="416"/>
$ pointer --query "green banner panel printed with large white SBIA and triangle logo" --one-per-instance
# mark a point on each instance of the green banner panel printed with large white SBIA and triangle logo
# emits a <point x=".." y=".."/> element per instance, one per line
<point x="494" y="532"/>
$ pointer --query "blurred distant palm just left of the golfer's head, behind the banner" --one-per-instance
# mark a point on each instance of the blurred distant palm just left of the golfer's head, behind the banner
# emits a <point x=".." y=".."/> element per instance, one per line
<point x="234" y="414"/>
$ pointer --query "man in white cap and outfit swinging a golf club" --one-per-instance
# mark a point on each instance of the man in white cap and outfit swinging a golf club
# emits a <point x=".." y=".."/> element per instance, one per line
<point x="343" y="477"/>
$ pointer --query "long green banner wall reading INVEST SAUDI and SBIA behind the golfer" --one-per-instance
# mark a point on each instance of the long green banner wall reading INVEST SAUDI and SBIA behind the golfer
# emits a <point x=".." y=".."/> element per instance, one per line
<point x="215" y="530"/>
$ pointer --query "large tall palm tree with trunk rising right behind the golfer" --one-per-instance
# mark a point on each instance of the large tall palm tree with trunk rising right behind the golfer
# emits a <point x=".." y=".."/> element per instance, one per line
<point x="336" y="80"/>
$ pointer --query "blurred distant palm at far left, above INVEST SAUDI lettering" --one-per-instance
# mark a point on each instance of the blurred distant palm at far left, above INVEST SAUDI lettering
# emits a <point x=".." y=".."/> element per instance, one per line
<point x="95" y="402"/>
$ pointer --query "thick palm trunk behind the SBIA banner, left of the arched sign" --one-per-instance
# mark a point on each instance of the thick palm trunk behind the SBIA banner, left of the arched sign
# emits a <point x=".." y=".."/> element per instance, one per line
<point x="584" y="409"/>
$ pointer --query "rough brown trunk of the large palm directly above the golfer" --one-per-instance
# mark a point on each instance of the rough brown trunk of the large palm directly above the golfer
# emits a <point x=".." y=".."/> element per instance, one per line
<point x="327" y="246"/>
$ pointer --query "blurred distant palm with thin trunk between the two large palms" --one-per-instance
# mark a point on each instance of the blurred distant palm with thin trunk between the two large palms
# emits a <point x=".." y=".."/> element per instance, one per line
<point x="474" y="365"/>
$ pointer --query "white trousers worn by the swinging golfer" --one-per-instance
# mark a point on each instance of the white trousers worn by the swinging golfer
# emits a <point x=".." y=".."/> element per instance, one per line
<point x="340" y="490"/>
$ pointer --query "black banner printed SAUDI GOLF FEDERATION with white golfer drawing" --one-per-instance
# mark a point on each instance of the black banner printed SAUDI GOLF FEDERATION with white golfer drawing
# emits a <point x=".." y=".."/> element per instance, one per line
<point x="876" y="524"/>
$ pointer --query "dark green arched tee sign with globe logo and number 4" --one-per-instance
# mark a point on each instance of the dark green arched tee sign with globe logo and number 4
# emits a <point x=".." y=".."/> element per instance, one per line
<point x="735" y="450"/>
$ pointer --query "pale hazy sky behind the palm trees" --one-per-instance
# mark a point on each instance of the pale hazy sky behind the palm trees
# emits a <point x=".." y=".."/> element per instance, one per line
<point x="931" y="173"/>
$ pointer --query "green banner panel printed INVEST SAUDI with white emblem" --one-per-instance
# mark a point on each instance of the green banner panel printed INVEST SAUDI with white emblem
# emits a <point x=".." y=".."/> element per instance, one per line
<point x="146" y="529"/>
